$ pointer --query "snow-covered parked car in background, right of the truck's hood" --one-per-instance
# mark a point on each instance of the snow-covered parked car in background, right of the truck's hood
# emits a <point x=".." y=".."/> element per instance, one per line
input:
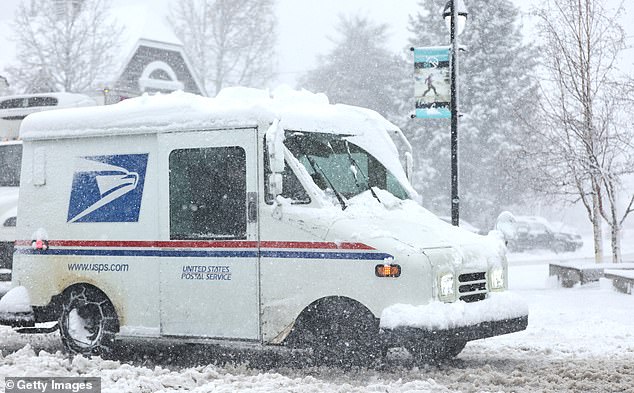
<point x="533" y="232"/>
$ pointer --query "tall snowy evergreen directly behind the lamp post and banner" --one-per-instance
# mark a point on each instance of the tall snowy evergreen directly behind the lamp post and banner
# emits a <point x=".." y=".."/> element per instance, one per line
<point x="496" y="82"/>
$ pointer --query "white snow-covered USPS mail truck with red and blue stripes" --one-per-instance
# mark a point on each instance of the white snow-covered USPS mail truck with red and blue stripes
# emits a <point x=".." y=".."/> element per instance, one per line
<point x="270" y="219"/>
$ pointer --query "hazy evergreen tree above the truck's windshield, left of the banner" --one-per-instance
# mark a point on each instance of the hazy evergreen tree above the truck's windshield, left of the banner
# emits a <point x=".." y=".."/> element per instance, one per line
<point x="360" y="70"/>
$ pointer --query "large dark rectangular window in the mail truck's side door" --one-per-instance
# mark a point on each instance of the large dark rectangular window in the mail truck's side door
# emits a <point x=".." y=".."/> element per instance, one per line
<point x="208" y="193"/>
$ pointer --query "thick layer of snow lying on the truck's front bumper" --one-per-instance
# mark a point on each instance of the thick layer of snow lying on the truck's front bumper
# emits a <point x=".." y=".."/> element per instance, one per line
<point x="438" y="315"/>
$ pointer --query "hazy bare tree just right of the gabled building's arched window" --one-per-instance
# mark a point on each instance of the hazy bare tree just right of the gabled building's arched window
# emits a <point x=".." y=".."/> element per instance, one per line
<point x="230" y="42"/>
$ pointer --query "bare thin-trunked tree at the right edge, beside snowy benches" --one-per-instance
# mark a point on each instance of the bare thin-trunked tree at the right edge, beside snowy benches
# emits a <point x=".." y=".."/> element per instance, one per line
<point x="582" y="146"/>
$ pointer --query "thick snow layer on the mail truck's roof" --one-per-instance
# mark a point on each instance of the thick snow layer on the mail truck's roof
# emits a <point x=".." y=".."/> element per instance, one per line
<point x="232" y="107"/>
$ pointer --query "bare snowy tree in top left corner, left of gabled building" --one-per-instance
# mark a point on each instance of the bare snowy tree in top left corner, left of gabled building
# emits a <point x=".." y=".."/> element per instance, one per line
<point x="62" y="45"/>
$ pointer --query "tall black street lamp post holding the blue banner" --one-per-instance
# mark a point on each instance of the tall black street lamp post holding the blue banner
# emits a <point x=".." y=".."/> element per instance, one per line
<point x="455" y="15"/>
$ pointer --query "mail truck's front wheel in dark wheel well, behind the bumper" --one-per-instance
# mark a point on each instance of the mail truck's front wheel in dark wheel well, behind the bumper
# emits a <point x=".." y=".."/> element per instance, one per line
<point x="341" y="333"/>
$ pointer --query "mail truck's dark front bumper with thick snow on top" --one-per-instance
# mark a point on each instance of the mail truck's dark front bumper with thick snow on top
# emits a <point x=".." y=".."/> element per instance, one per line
<point x="501" y="313"/>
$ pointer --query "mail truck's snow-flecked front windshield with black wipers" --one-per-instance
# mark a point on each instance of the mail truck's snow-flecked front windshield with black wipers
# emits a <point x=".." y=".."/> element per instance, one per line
<point x="335" y="163"/>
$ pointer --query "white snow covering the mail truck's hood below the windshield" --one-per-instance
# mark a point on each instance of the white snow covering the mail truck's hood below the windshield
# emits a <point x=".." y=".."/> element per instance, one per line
<point x="404" y="223"/>
